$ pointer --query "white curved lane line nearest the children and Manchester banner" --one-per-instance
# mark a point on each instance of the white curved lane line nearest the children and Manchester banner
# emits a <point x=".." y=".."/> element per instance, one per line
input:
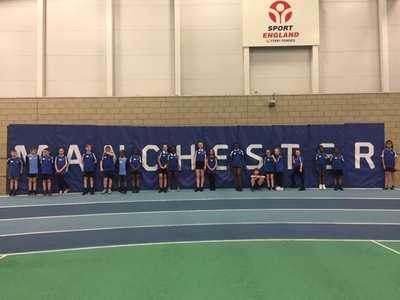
<point x="200" y="199"/>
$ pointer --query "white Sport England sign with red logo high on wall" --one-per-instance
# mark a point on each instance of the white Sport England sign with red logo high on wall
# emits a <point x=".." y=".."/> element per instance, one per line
<point x="280" y="23"/>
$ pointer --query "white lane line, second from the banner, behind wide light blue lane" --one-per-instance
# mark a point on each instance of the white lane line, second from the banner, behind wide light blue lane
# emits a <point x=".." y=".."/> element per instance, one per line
<point x="200" y="211"/>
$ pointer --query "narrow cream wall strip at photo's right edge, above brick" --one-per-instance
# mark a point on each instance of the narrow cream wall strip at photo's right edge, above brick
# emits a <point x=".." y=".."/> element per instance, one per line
<point x="394" y="44"/>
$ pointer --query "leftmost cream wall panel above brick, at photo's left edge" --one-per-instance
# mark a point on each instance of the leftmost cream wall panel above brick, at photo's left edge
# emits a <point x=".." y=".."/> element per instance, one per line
<point x="17" y="48"/>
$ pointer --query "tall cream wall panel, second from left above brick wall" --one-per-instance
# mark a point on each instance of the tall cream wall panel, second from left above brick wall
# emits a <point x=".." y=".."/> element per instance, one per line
<point x="76" y="48"/>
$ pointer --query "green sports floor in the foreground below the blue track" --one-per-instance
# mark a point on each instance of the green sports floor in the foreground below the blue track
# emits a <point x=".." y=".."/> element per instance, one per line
<point x="226" y="270"/>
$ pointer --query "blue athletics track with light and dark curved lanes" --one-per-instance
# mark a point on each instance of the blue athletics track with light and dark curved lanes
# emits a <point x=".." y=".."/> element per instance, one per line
<point x="74" y="221"/>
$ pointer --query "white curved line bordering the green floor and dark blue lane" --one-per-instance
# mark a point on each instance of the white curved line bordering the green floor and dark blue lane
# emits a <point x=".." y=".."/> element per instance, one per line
<point x="194" y="242"/>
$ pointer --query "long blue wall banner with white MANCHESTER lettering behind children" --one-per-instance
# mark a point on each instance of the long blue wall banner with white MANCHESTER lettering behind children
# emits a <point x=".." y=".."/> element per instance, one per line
<point x="361" y="145"/>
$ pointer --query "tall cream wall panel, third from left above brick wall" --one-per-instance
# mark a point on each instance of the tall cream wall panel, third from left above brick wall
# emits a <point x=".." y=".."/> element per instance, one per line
<point x="144" y="48"/>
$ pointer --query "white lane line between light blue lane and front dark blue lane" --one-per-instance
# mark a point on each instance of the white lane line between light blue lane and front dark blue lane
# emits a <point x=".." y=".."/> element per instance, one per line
<point x="193" y="225"/>
